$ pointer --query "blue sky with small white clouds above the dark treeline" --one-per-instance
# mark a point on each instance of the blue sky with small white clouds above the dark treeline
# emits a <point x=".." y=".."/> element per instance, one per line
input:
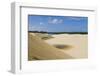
<point x="57" y="23"/>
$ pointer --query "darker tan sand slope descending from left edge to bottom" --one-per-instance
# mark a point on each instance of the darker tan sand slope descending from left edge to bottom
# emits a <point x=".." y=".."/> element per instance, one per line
<point x="38" y="49"/>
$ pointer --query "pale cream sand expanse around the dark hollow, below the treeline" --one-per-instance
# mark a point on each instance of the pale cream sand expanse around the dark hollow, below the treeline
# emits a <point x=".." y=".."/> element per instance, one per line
<point x="78" y="43"/>
